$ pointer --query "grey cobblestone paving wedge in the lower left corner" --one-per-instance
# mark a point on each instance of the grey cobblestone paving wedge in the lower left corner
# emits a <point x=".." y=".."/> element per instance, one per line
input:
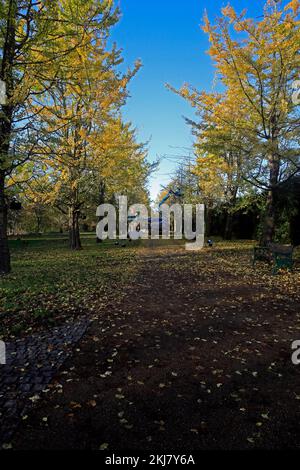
<point x="31" y="364"/>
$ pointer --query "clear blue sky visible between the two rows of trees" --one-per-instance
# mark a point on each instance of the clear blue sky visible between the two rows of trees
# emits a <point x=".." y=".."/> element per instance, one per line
<point x="166" y="36"/>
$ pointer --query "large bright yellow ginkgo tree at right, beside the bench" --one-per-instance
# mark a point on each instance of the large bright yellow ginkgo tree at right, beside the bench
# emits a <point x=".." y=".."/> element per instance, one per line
<point x="257" y="62"/>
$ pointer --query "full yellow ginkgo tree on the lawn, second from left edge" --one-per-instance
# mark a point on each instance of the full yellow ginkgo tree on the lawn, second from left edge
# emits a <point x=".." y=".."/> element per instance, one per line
<point x="80" y="124"/>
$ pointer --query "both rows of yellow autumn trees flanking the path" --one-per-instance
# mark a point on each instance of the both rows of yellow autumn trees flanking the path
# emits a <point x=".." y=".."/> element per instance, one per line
<point x="65" y="147"/>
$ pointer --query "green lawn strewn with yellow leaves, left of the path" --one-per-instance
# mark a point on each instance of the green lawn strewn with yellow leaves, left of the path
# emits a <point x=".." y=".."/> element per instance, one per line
<point x="50" y="284"/>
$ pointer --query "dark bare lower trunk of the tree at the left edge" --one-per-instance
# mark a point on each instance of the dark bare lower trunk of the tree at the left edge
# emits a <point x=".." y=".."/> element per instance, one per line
<point x="4" y="248"/>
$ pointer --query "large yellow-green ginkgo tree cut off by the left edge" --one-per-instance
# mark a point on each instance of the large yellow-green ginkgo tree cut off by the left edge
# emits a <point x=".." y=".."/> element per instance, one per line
<point x="37" y="37"/>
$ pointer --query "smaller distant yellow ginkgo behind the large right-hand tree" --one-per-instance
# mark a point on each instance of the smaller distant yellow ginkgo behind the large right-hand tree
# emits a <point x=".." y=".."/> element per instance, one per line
<point x="220" y="164"/>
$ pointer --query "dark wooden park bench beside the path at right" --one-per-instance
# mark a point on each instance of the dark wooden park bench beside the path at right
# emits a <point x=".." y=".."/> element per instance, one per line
<point x="280" y="255"/>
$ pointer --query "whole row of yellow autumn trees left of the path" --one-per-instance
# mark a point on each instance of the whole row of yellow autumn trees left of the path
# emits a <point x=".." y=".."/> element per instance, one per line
<point x="64" y="145"/>
